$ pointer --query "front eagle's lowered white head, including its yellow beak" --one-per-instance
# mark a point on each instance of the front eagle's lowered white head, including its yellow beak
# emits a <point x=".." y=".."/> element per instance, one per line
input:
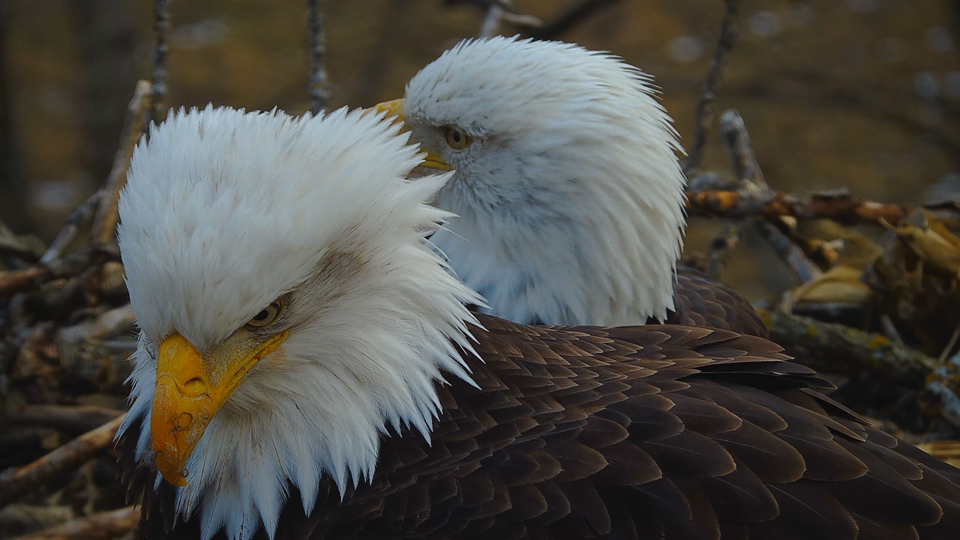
<point x="290" y="309"/>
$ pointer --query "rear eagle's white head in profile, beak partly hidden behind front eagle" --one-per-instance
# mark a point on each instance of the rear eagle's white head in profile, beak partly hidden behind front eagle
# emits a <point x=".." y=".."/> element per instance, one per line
<point x="567" y="183"/>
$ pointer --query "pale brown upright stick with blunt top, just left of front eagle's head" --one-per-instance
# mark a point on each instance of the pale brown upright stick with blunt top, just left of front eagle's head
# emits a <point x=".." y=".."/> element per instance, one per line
<point x="105" y="223"/>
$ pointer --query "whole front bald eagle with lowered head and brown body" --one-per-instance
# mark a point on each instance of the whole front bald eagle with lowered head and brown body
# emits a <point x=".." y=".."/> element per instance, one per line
<point x="307" y="369"/>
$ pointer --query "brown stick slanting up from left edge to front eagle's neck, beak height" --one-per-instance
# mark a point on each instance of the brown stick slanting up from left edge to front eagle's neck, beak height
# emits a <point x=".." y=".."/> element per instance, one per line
<point x="15" y="483"/>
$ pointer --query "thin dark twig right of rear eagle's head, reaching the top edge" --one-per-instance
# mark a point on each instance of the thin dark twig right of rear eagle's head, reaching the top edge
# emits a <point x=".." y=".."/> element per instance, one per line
<point x="703" y="118"/>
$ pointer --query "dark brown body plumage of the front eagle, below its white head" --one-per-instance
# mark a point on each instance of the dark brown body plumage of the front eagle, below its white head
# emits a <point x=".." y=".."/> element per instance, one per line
<point x="649" y="432"/>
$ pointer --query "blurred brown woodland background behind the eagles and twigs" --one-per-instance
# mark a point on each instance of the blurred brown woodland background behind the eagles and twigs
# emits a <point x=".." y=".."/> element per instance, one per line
<point x="862" y="94"/>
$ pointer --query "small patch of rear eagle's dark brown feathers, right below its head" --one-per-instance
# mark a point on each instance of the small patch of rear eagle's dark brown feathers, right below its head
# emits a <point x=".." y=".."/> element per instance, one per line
<point x="700" y="301"/>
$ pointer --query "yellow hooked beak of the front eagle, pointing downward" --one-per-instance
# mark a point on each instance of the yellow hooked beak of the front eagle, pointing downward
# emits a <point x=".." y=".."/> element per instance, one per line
<point x="191" y="388"/>
